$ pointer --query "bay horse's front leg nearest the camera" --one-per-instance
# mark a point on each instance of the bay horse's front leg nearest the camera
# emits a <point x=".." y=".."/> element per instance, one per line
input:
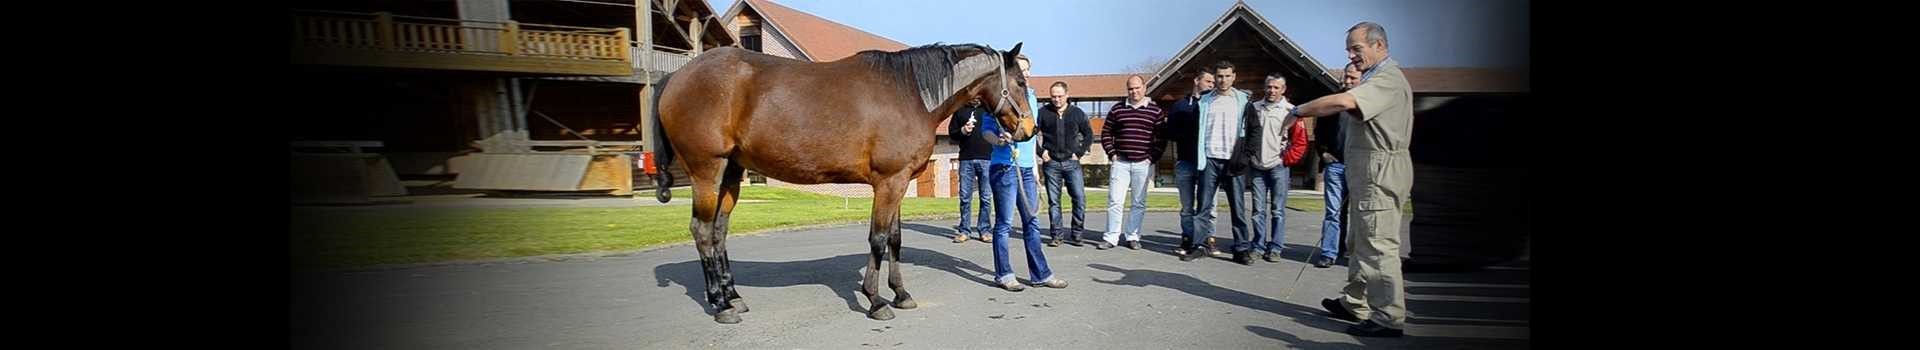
<point x="882" y="237"/>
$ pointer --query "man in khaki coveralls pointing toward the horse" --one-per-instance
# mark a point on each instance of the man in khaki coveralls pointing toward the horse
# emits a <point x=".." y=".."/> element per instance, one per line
<point x="1380" y="176"/>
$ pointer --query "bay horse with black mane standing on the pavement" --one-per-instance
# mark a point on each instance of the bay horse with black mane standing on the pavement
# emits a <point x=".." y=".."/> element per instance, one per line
<point x="867" y="118"/>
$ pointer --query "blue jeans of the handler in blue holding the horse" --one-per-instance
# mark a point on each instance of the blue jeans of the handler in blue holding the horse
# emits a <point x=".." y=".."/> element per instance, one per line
<point x="1005" y="197"/>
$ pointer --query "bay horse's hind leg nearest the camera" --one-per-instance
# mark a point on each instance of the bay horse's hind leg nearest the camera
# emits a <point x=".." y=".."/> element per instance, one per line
<point x="708" y="237"/>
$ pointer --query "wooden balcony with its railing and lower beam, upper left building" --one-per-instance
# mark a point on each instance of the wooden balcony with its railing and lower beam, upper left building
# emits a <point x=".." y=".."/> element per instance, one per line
<point x="437" y="43"/>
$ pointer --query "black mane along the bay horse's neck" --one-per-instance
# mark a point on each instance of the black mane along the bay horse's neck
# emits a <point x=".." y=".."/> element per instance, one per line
<point x="932" y="70"/>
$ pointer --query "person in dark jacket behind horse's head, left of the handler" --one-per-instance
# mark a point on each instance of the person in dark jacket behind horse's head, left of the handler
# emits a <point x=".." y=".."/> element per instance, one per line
<point x="976" y="157"/>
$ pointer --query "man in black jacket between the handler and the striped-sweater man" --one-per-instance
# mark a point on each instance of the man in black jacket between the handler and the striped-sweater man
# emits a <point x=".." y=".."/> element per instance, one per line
<point x="1065" y="139"/>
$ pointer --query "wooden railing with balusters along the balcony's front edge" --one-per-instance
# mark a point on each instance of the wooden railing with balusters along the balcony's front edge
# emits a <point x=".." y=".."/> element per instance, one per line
<point x="387" y="32"/>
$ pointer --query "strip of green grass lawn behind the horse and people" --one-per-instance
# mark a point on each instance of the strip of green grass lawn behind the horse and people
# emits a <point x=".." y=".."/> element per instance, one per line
<point x="331" y="237"/>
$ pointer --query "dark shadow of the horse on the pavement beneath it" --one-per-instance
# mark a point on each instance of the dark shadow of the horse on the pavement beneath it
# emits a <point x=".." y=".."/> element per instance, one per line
<point x="842" y="274"/>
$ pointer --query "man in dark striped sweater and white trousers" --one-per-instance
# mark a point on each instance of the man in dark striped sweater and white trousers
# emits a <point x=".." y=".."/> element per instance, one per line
<point x="1128" y="139"/>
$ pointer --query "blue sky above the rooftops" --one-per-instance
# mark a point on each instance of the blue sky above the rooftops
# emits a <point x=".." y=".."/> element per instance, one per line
<point x="1072" y="37"/>
